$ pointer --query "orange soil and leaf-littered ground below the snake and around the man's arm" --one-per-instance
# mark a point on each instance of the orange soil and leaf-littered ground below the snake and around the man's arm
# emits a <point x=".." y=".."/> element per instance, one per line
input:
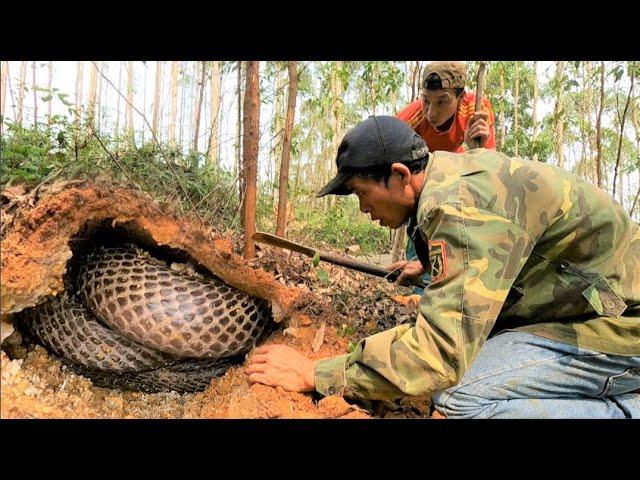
<point x="39" y="386"/>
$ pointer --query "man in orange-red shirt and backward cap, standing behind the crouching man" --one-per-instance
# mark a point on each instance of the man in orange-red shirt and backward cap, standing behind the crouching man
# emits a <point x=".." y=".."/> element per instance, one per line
<point x="445" y="114"/>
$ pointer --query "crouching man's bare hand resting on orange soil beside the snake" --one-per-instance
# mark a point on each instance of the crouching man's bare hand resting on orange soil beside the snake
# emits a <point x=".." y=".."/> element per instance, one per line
<point x="279" y="365"/>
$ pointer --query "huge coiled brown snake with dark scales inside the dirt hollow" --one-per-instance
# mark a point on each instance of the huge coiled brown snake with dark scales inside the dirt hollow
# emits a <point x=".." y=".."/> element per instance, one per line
<point x="135" y="323"/>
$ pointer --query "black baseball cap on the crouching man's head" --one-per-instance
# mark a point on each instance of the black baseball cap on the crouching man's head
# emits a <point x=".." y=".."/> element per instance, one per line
<point x="375" y="142"/>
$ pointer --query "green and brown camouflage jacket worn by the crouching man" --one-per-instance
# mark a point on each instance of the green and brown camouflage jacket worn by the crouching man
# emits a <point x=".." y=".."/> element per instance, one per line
<point x="513" y="244"/>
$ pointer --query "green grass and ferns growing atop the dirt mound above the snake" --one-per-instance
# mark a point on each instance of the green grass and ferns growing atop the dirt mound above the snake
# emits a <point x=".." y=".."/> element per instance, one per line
<point x="67" y="151"/>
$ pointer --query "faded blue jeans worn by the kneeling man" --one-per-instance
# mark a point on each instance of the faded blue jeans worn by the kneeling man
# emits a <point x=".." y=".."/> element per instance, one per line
<point x="520" y="375"/>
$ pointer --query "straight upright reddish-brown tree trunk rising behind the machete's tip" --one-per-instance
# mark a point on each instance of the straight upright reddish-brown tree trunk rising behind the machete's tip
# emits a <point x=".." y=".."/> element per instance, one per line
<point x="251" y="120"/>
